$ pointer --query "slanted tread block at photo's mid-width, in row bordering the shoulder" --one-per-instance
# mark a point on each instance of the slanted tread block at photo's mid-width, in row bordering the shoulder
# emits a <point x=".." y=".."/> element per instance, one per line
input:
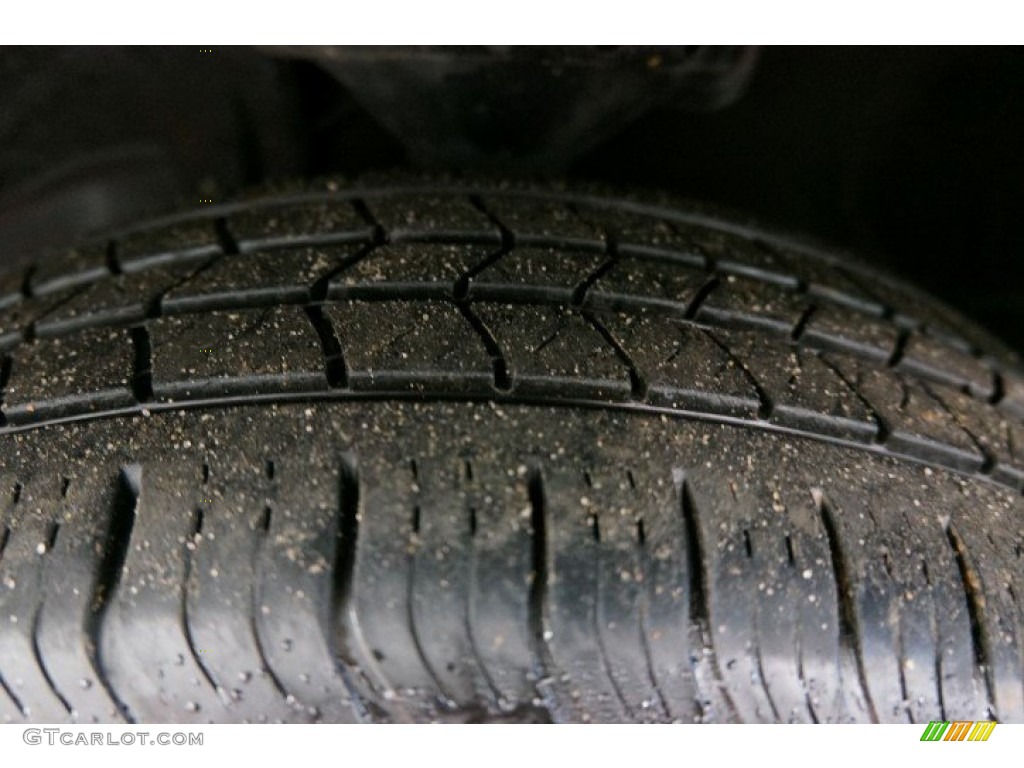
<point x="551" y="351"/>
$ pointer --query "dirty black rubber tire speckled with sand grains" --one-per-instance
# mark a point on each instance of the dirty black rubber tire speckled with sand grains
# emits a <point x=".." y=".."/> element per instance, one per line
<point x="493" y="455"/>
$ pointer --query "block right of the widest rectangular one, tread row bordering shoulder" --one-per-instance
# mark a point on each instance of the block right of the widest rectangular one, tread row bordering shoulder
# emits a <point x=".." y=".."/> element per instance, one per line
<point x="415" y="346"/>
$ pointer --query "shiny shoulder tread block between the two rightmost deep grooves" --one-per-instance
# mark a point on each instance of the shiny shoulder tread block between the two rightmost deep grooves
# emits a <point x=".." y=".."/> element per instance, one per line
<point x="910" y="649"/>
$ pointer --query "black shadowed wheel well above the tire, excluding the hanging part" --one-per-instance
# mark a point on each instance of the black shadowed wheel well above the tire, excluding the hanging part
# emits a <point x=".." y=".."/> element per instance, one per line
<point x="912" y="156"/>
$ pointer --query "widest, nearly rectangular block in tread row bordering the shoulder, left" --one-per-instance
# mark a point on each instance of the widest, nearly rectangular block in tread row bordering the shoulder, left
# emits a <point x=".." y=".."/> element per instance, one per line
<point x="273" y="350"/>
